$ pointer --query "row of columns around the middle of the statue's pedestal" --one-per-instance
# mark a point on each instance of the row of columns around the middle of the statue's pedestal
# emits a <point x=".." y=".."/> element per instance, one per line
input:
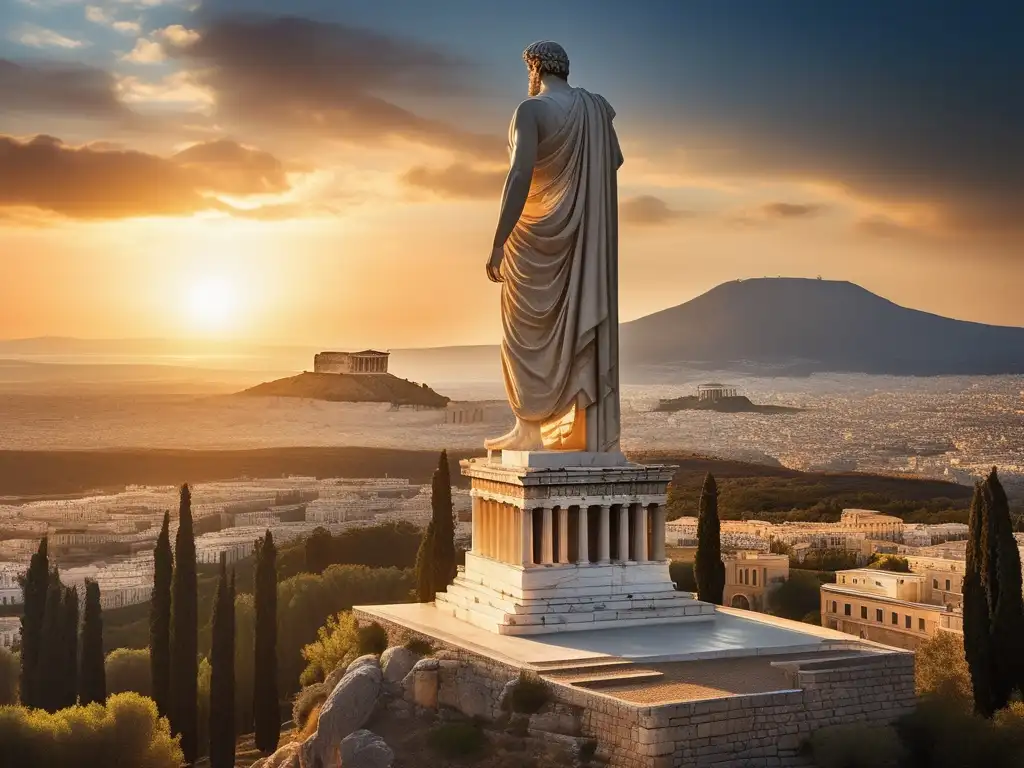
<point x="569" y="535"/>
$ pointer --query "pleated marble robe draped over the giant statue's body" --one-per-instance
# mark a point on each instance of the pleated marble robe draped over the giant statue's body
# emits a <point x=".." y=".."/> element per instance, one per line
<point x="561" y="279"/>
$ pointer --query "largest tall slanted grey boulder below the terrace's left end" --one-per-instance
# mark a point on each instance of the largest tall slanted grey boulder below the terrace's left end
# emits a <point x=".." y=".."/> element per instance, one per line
<point x="347" y="710"/>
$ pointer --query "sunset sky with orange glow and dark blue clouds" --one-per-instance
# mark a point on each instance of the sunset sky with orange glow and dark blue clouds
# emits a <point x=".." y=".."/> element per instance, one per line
<point x="214" y="168"/>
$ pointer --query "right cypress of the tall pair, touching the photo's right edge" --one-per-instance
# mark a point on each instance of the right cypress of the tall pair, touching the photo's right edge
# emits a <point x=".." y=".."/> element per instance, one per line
<point x="1006" y="600"/>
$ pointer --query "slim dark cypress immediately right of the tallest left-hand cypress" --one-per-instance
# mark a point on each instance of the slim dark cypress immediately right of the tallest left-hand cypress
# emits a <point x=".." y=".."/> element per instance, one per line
<point x="222" y="729"/>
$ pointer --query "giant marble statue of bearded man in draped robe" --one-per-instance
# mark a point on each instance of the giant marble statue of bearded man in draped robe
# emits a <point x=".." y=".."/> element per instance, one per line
<point x="556" y="253"/>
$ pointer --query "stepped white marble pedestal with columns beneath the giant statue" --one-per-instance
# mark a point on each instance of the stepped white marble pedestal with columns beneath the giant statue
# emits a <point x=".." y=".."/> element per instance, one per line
<point x="574" y="547"/>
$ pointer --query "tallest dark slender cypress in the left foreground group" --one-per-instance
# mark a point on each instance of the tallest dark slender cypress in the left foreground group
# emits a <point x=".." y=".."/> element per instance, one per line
<point x="185" y="639"/>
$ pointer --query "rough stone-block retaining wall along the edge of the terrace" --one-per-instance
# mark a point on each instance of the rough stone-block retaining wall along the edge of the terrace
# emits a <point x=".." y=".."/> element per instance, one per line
<point x="763" y="731"/>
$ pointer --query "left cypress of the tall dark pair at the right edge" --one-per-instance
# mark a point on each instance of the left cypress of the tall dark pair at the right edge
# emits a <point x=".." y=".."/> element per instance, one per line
<point x="977" y="641"/>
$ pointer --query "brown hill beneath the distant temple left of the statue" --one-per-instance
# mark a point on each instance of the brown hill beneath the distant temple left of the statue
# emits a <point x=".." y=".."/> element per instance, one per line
<point x="351" y="389"/>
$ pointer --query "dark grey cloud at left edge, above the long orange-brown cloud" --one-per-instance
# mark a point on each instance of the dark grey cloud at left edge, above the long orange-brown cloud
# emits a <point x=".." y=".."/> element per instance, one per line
<point x="60" y="89"/>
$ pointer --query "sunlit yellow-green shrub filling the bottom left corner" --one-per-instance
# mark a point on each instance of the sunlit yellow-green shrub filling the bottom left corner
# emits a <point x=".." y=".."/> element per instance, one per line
<point x="125" y="733"/>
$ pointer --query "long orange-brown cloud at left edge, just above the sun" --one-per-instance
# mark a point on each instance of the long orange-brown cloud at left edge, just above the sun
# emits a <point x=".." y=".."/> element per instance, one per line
<point x="98" y="183"/>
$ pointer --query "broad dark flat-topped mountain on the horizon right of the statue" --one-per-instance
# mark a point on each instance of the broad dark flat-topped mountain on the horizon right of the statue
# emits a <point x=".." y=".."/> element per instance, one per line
<point x="817" y="326"/>
